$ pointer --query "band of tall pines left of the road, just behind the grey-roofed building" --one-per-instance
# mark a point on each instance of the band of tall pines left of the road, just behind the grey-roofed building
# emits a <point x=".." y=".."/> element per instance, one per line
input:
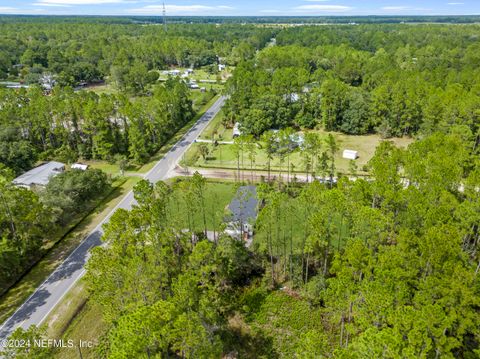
<point x="68" y="125"/>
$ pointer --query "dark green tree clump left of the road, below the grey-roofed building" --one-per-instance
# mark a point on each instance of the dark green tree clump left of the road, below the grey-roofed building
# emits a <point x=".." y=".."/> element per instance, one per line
<point x="30" y="221"/>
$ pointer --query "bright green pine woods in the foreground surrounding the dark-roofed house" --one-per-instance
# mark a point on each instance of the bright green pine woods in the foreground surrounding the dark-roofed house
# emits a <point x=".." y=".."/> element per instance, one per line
<point x="368" y="269"/>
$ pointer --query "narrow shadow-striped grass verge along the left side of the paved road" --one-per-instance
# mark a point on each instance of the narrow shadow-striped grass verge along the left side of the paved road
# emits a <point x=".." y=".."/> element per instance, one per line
<point x="61" y="249"/>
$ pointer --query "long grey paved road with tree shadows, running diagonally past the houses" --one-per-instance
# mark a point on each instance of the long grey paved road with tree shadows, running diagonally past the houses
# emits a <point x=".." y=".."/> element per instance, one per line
<point x="50" y="292"/>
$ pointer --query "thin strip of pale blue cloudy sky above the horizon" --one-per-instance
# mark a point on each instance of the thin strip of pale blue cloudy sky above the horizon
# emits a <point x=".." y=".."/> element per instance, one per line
<point x="243" y="7"/>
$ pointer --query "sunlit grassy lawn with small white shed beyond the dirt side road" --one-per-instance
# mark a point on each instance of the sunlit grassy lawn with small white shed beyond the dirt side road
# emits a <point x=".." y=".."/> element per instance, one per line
<point x="223" y="156"/>
